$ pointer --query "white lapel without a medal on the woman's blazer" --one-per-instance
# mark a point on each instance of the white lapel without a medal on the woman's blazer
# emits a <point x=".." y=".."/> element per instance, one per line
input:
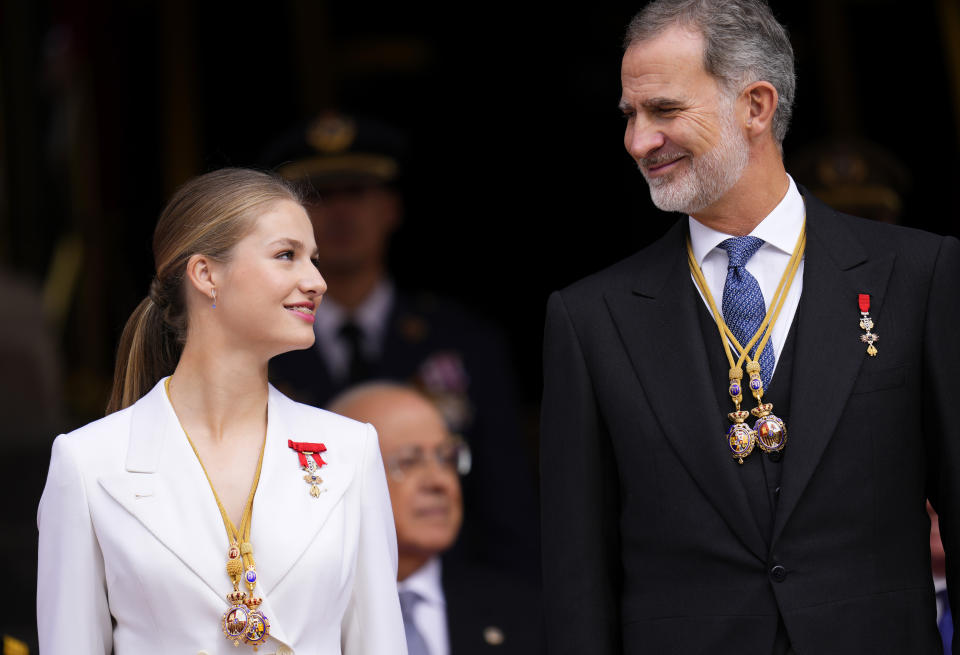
<point x="165" y="488"/>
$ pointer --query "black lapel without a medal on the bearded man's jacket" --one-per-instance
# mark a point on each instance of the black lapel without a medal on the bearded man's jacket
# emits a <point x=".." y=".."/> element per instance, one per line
<point x="659" y="326"/>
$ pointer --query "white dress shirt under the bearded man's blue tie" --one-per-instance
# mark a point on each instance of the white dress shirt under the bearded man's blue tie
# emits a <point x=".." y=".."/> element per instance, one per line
<point x="779" y="231"/>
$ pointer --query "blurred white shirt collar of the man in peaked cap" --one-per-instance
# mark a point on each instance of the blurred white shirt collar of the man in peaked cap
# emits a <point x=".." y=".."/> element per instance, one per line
<point x="371" y="316"/>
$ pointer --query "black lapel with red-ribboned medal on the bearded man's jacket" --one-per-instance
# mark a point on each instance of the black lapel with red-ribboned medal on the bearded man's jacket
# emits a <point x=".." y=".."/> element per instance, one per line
<point x="828" y="352"/>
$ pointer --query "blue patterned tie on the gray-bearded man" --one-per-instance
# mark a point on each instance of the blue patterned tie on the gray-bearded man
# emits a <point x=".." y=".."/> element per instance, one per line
<point x="743" y="306"/>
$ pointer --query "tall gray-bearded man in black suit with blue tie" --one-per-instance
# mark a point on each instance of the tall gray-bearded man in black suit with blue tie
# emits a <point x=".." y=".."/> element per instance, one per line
<point x="732" y="460"/>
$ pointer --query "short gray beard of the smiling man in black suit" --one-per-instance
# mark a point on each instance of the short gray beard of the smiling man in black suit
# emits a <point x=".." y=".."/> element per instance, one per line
<point x="707" y="178"/>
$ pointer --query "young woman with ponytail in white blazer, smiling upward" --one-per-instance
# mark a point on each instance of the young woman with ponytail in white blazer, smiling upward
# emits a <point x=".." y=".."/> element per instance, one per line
<point x="207" y="510"/>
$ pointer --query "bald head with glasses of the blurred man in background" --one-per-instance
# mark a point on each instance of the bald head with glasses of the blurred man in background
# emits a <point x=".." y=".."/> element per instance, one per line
<point x="417" y="452"/>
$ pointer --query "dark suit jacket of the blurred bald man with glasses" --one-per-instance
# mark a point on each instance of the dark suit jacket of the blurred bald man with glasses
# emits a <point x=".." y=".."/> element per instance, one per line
<point x="490" y="613"/>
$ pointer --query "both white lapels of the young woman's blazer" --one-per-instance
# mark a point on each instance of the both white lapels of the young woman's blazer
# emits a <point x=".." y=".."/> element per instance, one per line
<point x="165" y="488"/>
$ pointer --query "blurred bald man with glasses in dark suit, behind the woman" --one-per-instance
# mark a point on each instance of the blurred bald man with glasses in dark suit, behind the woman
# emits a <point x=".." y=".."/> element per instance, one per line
<point x="449" y="607"/>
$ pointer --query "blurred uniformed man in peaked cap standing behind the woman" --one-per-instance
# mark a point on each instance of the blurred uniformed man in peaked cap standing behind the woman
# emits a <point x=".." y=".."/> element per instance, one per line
<point x="368" y="329"/>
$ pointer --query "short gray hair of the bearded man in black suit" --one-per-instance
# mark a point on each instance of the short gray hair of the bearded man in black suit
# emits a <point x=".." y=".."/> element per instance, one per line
<point x="743" y="43"/>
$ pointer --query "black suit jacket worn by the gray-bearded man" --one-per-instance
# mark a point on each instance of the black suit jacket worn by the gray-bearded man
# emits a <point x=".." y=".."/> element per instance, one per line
<point x="649" y="543"/>
